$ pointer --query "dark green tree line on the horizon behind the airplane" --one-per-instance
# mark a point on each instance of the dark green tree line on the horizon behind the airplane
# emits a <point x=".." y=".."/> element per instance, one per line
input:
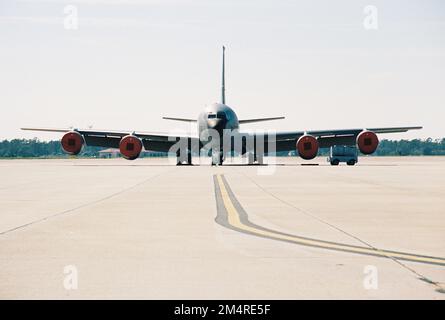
<point x="34" y="148"/>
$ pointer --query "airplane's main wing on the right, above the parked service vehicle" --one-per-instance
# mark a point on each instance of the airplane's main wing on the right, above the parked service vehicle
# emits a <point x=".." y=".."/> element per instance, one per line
<point x="286" y="141"/>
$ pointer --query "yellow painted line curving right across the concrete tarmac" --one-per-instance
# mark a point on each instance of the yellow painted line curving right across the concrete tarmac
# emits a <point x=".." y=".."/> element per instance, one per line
<point x="234" y="220"/>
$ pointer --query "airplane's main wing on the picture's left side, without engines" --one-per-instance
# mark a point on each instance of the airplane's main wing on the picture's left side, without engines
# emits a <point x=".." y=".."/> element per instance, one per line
<point x="161" y="142"/>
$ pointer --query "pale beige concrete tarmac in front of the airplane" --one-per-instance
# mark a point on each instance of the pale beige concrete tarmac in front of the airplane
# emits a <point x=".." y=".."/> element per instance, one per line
<point x="147" y="229"/>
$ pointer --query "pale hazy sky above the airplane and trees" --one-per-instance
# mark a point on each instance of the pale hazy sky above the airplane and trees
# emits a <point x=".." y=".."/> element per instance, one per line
<point x="131" y="62"/>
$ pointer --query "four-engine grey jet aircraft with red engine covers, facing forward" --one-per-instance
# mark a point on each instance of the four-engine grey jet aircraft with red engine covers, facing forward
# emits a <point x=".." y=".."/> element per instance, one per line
<point x="219" y="118"/>
